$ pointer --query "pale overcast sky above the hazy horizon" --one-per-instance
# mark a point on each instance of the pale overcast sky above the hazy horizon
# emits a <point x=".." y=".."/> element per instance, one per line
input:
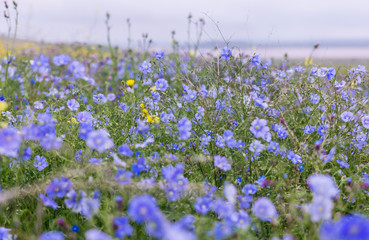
<point x="260" y="21"/>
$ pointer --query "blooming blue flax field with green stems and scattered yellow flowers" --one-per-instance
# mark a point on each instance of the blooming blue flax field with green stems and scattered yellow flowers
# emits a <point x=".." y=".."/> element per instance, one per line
<point x="129" y="144"/>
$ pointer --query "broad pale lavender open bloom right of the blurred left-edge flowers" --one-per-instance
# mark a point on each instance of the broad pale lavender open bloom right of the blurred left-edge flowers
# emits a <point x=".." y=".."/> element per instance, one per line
<point x="99" y="140"/>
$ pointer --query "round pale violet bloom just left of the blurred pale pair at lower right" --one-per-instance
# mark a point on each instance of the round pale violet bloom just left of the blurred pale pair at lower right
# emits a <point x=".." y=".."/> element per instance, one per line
<point x="264" y="209"/>
